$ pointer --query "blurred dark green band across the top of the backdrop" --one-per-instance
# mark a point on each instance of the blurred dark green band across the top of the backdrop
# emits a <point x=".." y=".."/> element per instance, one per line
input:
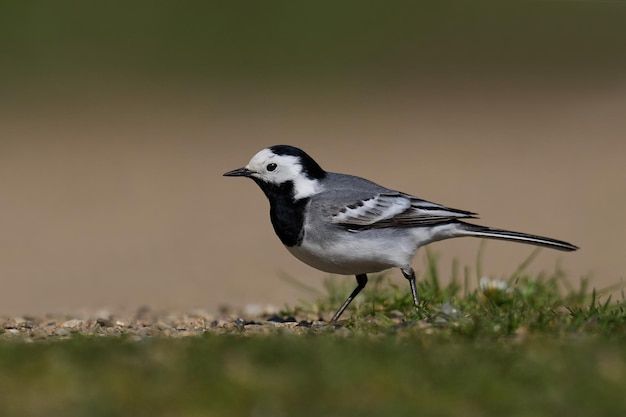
<point x="309" y="41"/>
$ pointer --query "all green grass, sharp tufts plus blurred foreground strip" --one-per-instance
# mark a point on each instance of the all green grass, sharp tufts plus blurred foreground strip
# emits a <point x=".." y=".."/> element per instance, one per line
<point x="536" y="347"/>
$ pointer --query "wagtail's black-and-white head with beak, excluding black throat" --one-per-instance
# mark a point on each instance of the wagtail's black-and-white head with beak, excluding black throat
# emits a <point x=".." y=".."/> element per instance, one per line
<point x="283" y="166"/>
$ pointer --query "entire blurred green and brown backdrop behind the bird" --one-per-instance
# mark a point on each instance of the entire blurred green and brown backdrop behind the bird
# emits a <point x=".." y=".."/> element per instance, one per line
<point x="118" y="119"/>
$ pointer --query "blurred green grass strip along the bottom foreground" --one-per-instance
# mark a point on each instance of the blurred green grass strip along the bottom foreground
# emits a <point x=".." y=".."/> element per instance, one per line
<point x="313" y="376"/>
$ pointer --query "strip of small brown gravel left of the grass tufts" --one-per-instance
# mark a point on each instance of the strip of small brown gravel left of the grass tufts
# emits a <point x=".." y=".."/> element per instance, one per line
<point x="146" y="323"/>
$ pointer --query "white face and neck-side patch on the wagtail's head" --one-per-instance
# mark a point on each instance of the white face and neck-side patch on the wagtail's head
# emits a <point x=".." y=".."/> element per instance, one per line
<point x="288" y="168"/>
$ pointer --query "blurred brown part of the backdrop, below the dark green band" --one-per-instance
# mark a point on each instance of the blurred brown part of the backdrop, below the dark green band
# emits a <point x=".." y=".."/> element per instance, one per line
<point x="115" y="204"/>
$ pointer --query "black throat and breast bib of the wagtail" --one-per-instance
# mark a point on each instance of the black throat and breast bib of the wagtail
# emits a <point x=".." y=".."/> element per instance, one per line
<point x="286" y="214"/>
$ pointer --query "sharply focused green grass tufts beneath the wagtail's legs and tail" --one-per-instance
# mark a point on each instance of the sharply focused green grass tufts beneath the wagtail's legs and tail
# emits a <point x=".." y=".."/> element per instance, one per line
<point x="522" y="304"/>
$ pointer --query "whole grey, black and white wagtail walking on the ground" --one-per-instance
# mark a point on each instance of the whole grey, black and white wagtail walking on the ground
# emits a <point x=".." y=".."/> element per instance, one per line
<point x="348" y="225"/>
